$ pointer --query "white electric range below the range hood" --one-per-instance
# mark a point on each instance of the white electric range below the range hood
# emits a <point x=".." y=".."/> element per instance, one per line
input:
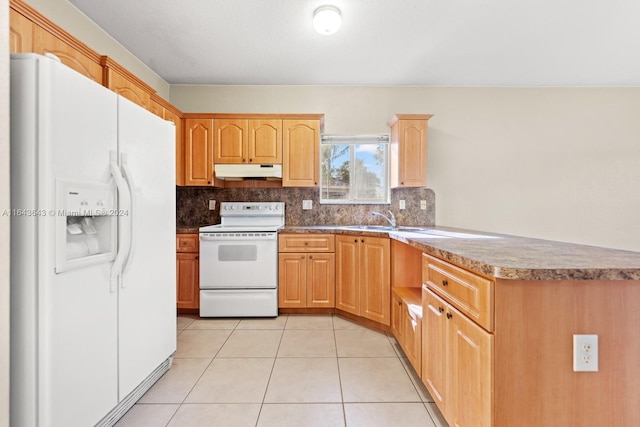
<point x="239" y="261"/>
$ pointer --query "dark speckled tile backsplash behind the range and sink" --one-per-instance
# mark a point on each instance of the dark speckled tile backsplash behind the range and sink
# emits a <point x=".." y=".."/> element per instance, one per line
<point x="192" y="206"/>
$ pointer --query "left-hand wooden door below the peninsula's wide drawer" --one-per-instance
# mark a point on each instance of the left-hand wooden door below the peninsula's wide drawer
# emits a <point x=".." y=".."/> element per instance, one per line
<point x="434" y="347"/>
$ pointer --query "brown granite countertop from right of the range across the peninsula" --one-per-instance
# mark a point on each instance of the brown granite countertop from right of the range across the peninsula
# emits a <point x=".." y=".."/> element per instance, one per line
<point x="510" y="257"/>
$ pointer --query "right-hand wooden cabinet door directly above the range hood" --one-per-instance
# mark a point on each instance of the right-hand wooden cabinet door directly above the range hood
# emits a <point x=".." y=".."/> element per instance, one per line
<point x="265" y="141"/>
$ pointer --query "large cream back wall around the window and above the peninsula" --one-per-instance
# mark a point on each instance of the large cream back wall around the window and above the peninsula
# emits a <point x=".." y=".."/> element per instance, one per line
<point x="553" y="163"/>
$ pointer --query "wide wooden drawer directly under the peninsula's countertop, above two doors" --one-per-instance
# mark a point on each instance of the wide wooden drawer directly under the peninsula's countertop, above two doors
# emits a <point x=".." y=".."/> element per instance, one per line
<point x="466" y="291"/>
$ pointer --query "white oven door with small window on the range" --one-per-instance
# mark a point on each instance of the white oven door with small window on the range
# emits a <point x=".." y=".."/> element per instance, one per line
<point x="239" y="260"/>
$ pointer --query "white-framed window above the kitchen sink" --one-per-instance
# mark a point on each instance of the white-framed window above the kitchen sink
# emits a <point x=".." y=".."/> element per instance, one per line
<point x="354" y="169"/>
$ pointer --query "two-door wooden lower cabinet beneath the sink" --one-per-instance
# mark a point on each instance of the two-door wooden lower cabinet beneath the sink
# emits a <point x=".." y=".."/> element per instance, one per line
<point x="363" y="283"/>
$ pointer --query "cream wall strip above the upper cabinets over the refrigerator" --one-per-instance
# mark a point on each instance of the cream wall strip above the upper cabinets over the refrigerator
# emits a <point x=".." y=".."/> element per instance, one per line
<point x="69" y="18"/>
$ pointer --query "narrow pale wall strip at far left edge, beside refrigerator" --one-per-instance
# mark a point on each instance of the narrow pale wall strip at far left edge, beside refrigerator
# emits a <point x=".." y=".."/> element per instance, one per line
<point x="4" y="220"/>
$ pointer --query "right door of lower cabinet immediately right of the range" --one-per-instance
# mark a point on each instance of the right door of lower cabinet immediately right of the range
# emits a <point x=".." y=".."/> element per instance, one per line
<point x="321" y="280"/>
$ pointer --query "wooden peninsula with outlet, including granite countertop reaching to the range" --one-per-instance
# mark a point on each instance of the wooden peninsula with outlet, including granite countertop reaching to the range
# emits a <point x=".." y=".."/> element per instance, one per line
<point x="499" y="315"/>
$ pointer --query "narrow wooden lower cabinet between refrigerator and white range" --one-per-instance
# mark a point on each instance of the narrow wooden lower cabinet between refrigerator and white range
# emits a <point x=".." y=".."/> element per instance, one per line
<point x="187" y="272"/>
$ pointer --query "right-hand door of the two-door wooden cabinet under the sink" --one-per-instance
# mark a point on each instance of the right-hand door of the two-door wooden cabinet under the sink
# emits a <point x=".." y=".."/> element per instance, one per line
<point x="375" y="279"/>
